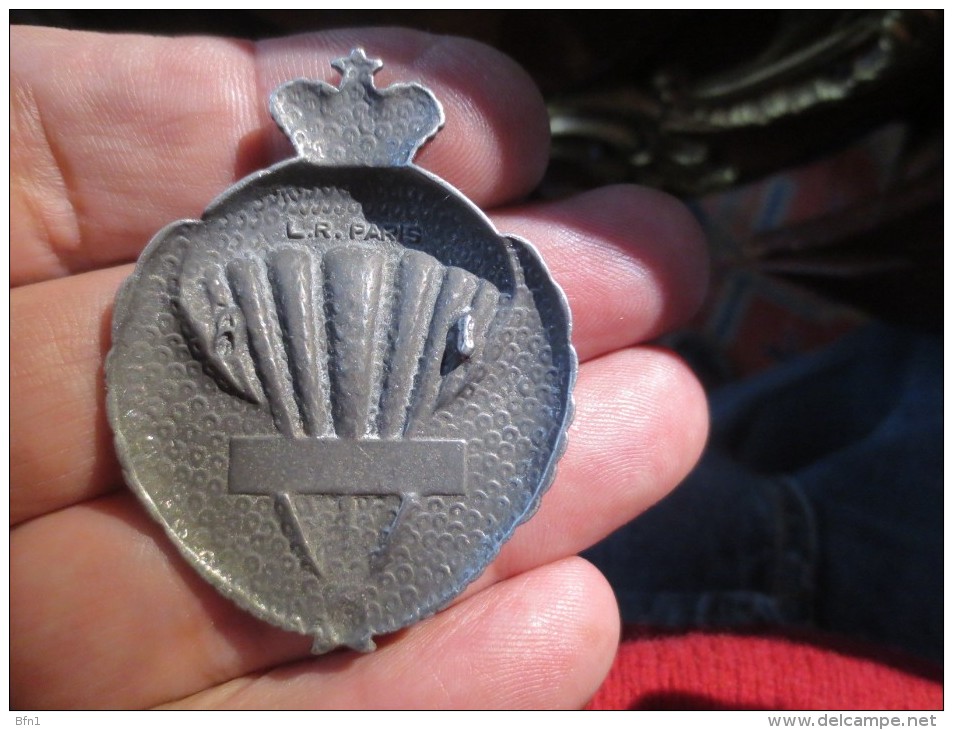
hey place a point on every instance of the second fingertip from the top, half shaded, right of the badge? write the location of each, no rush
(632, 261)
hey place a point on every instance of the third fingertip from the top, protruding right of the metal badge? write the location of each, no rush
(640, 426)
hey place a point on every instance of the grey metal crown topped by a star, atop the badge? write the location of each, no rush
(356, 123)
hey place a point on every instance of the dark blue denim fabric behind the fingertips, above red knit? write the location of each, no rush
(818, 503)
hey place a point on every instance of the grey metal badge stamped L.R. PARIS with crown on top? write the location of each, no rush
(341, 390)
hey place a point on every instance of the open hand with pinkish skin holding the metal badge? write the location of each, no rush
(115, 136)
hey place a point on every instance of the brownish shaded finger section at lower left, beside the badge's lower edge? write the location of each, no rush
(72, 644)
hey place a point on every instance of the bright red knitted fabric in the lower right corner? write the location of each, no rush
(724, 671)
